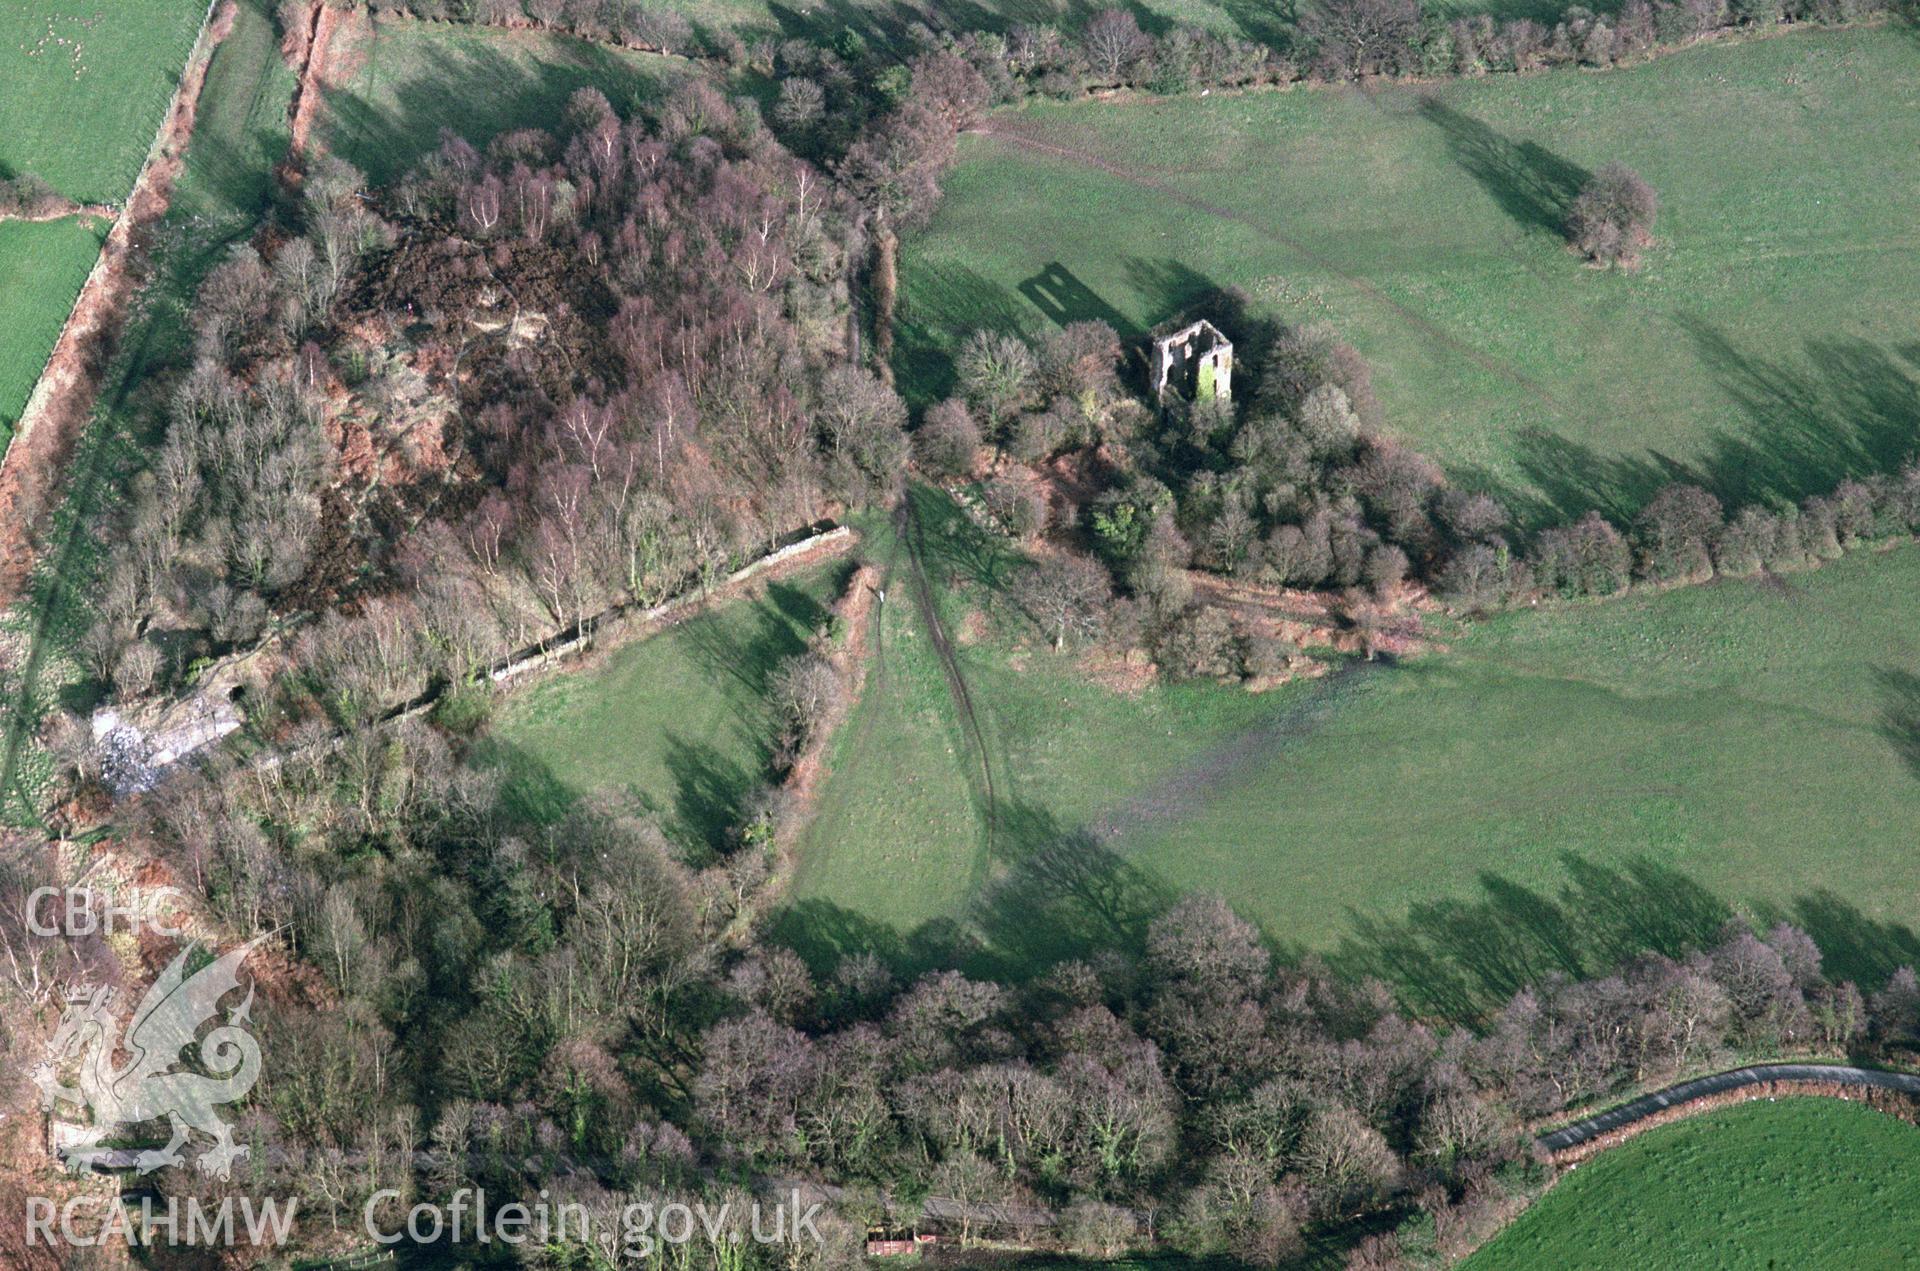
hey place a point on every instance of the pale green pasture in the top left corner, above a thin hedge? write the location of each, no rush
(84, 87)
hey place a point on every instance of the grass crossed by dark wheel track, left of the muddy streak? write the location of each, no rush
(900, 853)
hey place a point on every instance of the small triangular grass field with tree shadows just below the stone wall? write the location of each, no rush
(675, 725)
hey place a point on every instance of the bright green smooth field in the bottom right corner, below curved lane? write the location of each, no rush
(1804, 1184)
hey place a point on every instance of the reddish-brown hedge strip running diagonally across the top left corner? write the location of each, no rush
(62, 400)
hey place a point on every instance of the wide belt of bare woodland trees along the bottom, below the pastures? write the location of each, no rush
(542, 1001)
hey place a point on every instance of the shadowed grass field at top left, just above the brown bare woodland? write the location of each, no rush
(414, 80)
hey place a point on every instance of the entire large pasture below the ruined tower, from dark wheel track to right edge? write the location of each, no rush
(1550, 792)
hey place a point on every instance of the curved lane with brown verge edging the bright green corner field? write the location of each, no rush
(1575, 1143)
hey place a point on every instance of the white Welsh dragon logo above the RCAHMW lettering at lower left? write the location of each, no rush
(151, 1084)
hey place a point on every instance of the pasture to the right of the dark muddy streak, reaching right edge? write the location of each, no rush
(1562, 788)
